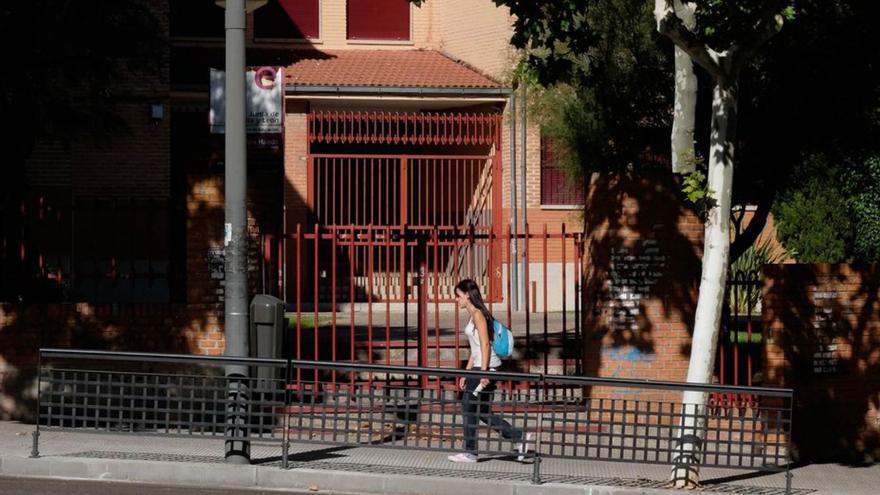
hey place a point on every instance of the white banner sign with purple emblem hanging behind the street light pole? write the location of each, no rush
(264, 111)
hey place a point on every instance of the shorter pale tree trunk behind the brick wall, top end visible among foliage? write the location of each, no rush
(684, 111)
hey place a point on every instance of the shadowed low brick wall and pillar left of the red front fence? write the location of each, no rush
(194, 327)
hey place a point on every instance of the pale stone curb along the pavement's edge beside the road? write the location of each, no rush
(226, 476)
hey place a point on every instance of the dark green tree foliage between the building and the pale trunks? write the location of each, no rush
(607, 98)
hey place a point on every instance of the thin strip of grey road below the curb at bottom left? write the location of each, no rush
(40, 486)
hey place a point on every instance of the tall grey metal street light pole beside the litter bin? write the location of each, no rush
(235, 321)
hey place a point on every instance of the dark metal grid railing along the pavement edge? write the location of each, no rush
(314, 402)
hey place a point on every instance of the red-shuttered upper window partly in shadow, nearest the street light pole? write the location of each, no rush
(288, 19)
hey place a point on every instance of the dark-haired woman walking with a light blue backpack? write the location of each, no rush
(476, 392)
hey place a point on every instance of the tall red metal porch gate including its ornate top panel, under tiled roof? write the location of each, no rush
(360, 193)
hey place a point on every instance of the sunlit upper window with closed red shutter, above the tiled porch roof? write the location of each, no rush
(378, 20)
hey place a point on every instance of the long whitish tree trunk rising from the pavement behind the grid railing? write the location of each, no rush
(685, 471)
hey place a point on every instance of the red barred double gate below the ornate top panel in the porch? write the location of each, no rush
(361, 197)
